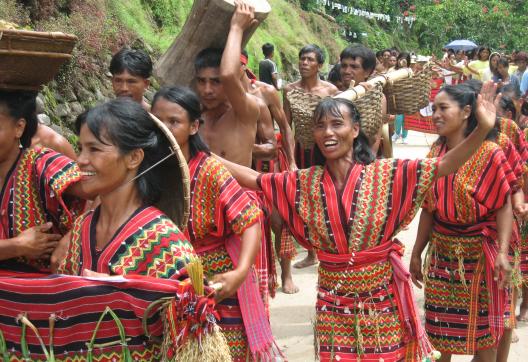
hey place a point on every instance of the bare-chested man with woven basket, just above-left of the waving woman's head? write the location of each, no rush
(300, 100)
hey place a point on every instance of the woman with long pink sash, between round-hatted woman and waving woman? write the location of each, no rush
(223, 228)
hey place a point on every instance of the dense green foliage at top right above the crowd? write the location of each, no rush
(497, 23)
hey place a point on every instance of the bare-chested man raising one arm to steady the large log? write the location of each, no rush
(230, 114)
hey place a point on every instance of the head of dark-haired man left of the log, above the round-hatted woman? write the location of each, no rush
(131, 70)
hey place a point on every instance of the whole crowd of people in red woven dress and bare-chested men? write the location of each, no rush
(115, 208)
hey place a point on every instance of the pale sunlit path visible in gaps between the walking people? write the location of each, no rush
(292, 315)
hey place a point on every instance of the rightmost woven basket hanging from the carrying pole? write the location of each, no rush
(408, 96)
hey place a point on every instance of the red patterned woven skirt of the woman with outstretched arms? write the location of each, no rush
(357, 315)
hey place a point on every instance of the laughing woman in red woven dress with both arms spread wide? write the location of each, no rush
(348, 208)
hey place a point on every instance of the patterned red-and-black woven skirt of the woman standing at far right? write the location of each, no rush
(456, 295)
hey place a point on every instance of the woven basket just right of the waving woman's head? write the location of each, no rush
(370, 110)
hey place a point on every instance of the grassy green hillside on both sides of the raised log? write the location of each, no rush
(287, 27)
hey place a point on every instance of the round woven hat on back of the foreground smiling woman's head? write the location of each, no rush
(176, 200)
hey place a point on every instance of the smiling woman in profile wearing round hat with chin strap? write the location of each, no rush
(126, 160)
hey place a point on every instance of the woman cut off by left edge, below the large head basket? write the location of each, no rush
(40, 194)
